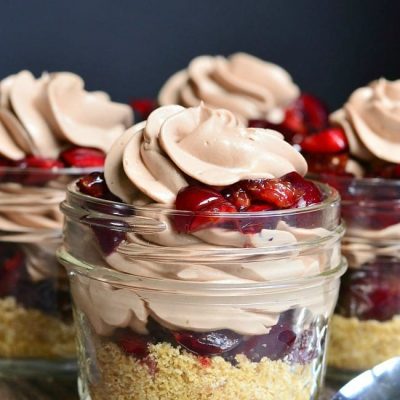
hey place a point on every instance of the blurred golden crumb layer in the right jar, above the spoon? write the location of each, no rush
(356, 345)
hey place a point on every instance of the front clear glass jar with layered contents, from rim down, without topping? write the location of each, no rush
(237, 310)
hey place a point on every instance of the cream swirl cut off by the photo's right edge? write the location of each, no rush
(371, 120)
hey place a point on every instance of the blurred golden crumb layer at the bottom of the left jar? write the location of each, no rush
(32, 334)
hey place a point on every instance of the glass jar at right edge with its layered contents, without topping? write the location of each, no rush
(366, 325)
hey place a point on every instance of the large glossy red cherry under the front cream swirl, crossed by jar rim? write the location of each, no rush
(199, 199)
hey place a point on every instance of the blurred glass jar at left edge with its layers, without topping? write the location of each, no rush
(36, 327)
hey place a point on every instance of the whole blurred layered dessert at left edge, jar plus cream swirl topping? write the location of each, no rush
(51, 132)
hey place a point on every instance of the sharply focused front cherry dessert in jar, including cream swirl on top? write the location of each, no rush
(202, 264)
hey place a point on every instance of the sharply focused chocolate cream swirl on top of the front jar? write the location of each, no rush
(157, 156)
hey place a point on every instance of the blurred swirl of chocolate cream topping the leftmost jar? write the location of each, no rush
(40, 116)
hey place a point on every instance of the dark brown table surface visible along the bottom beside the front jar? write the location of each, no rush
(54, 389)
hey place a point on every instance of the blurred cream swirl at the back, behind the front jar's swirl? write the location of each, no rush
(244, 84)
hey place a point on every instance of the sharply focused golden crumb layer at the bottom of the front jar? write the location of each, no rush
(172, 373)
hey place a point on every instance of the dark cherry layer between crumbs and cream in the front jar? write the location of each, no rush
(283, 342)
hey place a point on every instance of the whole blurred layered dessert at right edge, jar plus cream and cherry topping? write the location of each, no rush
(359, 154)
